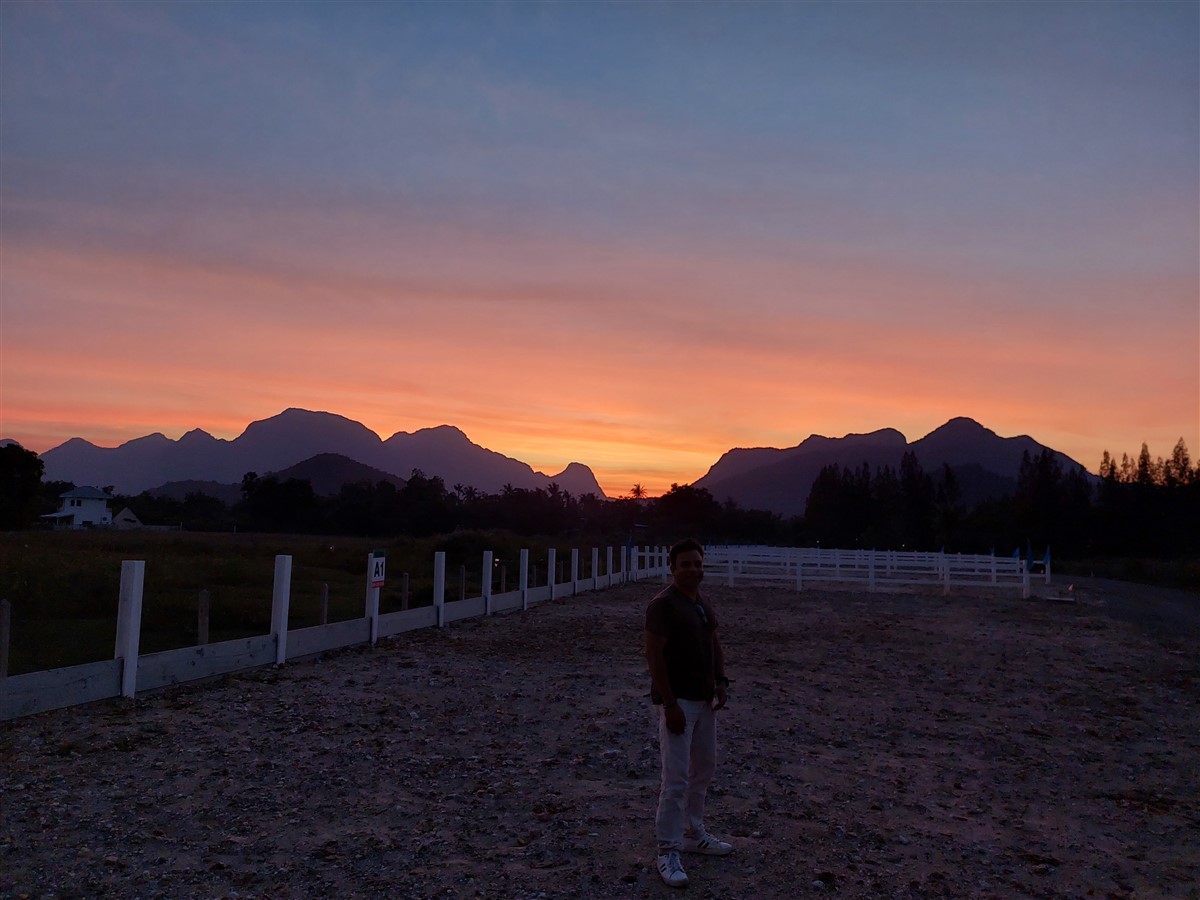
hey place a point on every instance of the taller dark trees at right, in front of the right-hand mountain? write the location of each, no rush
(1156, 514)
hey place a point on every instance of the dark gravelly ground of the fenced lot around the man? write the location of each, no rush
(877, 746)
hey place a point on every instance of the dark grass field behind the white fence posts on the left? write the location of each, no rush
(64, 586)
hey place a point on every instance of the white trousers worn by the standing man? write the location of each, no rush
(689, 763)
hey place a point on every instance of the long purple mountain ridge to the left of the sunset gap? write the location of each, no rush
(273, 446)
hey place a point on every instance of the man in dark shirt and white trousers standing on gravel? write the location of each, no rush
(688, 681)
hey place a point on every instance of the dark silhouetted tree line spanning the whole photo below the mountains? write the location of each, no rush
(1138, 507)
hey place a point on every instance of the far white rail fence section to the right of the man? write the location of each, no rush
(807, 567)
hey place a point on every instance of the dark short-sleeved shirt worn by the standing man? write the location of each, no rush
(689, 629)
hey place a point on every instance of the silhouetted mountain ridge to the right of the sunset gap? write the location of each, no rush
(985, 464)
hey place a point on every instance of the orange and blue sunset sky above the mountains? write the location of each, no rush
(633, 236)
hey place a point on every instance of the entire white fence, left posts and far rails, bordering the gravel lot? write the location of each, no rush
(130, 673)
